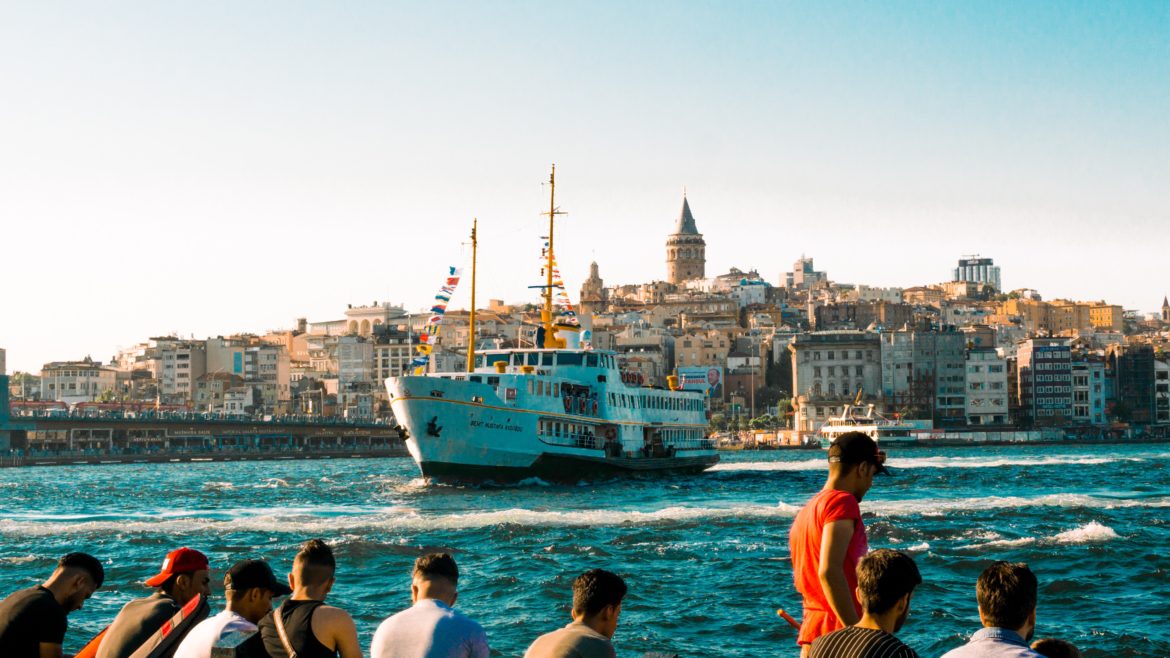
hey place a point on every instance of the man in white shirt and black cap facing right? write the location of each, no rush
(250, 587)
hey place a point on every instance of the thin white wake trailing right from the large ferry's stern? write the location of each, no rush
(898, 461)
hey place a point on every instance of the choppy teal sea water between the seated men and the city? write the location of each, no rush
(706, 557)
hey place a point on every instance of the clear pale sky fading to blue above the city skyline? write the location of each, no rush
(212, 168)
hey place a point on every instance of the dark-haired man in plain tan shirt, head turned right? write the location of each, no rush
(597, 606)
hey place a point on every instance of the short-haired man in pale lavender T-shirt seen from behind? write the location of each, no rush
(431, 628)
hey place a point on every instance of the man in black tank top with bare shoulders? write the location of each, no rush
(304, 627)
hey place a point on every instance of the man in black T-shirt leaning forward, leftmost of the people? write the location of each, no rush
(33, 621)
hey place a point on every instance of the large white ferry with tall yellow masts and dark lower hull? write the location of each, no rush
(555, 412)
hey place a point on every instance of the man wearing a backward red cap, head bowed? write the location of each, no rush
(184, 577)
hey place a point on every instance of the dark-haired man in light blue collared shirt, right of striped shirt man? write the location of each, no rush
(1007, 594)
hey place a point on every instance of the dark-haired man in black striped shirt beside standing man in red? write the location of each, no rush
(886, 581)
